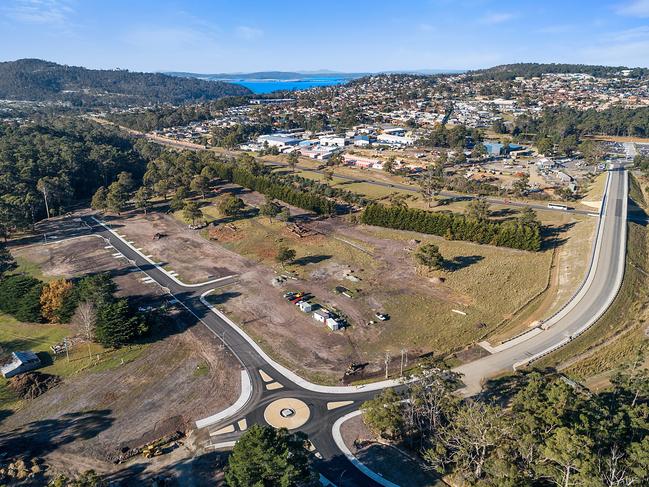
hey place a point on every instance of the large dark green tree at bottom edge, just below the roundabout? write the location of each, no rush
(264, 456)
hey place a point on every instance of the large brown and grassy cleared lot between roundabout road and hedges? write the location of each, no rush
(437, 313)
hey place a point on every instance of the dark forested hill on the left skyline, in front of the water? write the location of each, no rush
(37, 80)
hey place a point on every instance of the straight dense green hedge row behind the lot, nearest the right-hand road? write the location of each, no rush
(514, 234)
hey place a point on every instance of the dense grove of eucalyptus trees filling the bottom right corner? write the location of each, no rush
(547, 432)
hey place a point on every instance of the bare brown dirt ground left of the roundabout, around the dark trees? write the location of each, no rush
(175, 376)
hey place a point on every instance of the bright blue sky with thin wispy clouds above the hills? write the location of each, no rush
(353, 35)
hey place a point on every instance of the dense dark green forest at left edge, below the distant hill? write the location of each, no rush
(67, 159)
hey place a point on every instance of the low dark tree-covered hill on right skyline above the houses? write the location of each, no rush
(529, 70)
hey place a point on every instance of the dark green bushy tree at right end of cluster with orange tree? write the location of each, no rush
(116, 325)
